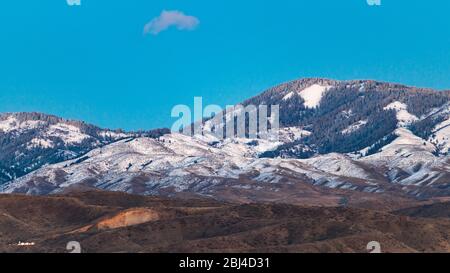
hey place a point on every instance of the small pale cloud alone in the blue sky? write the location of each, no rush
(171, 18)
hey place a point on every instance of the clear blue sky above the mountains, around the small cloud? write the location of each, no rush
(93, 62)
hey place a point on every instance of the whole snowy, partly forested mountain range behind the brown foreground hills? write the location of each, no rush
(347, 143)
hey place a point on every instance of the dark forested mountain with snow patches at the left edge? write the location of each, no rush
(31, 140)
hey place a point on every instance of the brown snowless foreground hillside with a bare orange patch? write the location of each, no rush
(116, 222)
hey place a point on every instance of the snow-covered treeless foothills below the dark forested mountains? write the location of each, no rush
(176, 163)
